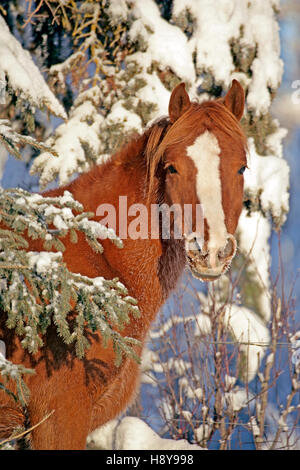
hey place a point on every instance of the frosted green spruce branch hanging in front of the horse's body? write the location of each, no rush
(36, 288)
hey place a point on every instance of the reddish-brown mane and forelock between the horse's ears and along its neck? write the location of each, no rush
(148, 149)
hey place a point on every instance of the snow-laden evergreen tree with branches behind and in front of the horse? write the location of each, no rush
(106, 68)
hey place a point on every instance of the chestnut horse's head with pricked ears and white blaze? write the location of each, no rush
(204, 158)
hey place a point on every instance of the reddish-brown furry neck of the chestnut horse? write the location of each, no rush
(143, 265)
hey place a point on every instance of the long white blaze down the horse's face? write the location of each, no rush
(205, 153)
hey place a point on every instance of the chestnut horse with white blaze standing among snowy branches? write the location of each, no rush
(196, 155)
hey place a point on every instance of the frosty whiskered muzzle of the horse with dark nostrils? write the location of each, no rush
(209, 265)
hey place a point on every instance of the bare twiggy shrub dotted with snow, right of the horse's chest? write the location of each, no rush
(213, 376)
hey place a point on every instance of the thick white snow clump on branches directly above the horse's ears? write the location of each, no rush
(213, 30)
